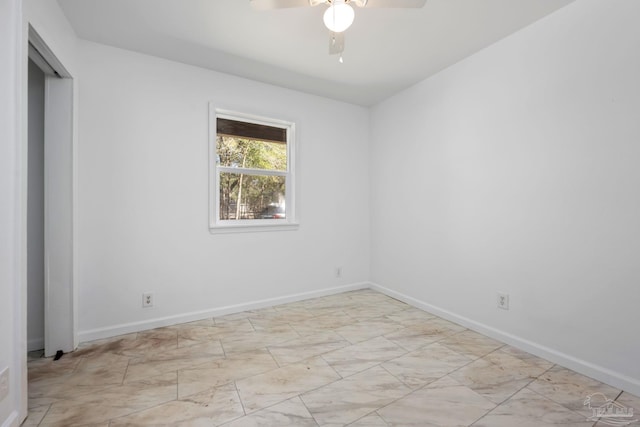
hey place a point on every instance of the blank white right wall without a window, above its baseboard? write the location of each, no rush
(516, 170)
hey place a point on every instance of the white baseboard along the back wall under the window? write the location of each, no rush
(127, 328)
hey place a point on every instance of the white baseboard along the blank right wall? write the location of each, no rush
(600, 373)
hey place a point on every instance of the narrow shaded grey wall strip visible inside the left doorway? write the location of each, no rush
(35, 211)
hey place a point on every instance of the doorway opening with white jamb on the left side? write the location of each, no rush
(49, 234)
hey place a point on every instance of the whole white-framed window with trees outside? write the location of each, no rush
(251, 173)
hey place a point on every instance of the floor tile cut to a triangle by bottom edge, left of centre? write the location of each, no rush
(291, 412)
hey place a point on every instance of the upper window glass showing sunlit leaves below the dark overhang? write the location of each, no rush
(251, 153)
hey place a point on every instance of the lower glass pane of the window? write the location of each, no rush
(245, 196)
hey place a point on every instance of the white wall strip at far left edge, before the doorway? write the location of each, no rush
(10, 208)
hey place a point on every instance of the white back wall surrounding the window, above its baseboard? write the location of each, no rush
(143, 195)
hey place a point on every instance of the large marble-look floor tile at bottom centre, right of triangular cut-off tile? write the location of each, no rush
(351, 398)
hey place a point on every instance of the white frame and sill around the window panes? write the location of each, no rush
(216, 225)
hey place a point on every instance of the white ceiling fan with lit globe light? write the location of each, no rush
(339, 14)
